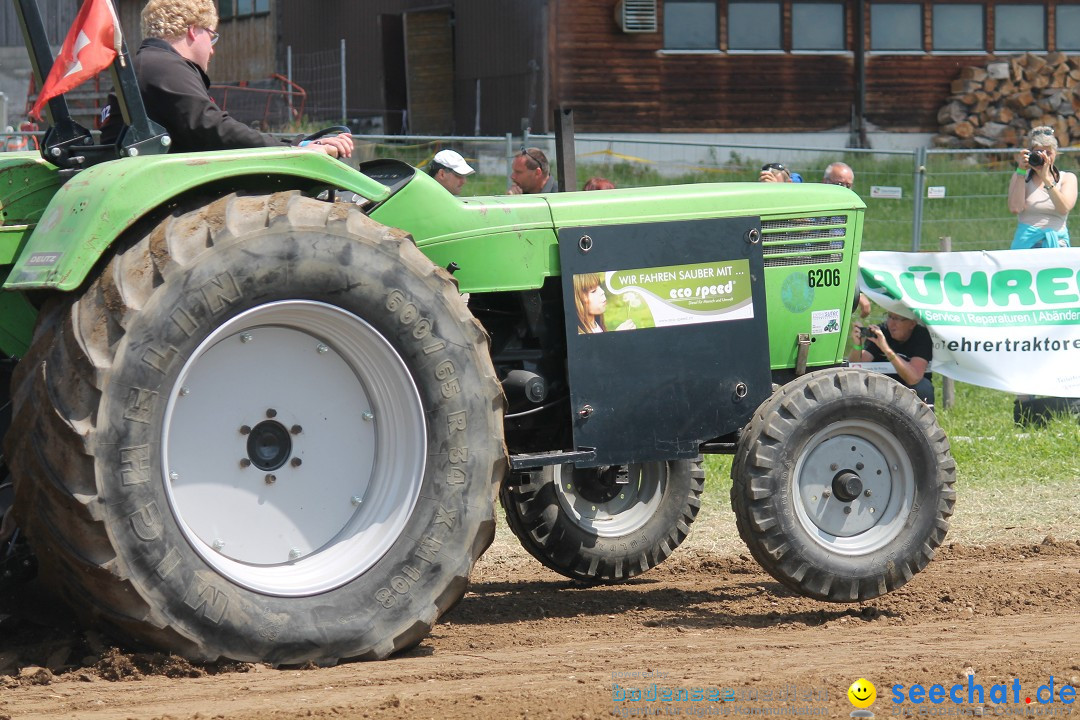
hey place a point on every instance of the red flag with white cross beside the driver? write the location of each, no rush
(93, 42)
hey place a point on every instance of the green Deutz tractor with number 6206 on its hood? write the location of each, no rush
(253, 420)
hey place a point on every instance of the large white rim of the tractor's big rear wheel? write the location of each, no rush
(354, 419)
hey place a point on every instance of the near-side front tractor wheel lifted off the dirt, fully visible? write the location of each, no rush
(843, 485)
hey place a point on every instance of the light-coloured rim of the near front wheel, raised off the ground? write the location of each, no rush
(879, 514)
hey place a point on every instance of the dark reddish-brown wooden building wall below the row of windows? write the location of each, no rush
(626, 83)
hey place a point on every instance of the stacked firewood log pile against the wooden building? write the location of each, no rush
(995, 106)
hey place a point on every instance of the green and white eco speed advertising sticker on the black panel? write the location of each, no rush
(665, 296)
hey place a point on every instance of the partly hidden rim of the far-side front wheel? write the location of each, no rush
(627, 511)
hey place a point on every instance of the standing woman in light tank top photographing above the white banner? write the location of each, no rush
(1041, 195)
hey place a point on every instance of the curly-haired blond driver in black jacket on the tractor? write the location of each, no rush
(171, 66)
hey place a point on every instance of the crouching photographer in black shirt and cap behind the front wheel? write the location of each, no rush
(902, 343)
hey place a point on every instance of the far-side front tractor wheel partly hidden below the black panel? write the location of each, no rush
(604, 525)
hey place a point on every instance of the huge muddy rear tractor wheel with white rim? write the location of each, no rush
(269, 431)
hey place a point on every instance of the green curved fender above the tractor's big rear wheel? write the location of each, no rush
(97, 207)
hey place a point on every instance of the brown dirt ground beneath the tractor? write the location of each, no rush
(526, 644)
